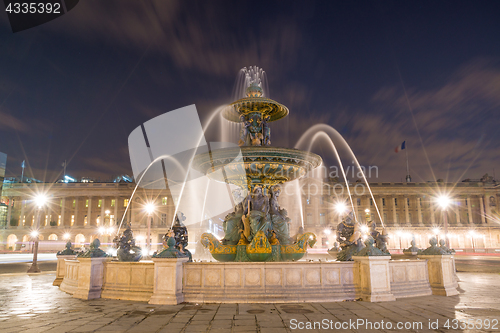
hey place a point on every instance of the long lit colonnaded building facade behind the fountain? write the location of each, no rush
(81, 212)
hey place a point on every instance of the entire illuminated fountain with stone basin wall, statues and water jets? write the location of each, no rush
(254, 257)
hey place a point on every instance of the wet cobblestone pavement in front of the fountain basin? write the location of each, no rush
(29, 303)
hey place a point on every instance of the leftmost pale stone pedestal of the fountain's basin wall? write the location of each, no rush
(90, 277)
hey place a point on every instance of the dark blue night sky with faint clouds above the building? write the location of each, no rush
(380, 72)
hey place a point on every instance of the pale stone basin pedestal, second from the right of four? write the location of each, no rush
(374, 278)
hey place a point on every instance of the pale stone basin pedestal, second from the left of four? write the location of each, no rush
(168, 281)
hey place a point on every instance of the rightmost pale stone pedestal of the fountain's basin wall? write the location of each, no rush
(441, 274)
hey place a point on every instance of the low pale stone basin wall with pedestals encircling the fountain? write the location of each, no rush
(172, 281)
